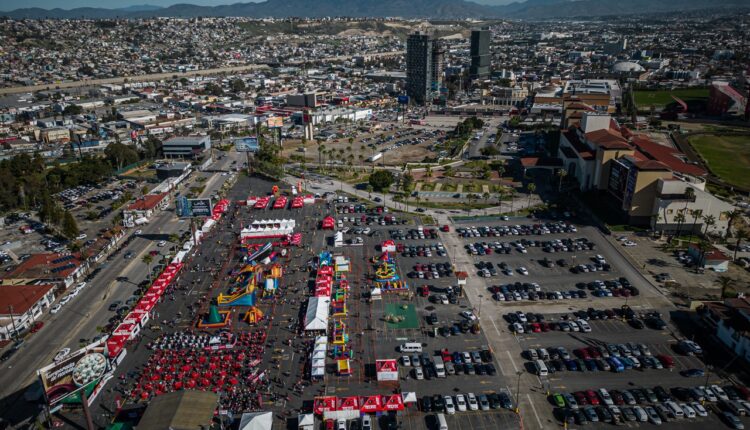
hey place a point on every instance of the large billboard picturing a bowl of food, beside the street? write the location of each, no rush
(85, 369)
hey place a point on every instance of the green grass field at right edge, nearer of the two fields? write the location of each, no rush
(728, 157)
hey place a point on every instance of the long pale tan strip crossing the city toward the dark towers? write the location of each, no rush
(169, 75)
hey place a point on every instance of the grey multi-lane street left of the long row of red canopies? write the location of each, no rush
(80, 318)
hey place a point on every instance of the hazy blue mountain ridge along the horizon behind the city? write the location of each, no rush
(442, 9)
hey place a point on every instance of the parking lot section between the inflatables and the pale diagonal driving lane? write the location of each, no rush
(440, 327)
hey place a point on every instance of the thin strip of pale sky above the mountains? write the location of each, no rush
(6, 5)
